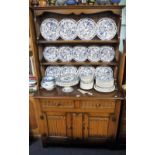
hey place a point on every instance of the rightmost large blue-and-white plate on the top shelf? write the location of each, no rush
(106, 29)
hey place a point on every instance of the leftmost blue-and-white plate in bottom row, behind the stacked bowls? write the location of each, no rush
(53, 71)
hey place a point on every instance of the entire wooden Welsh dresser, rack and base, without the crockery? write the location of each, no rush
(74, 116)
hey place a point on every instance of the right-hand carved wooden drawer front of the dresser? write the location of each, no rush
(98, 104)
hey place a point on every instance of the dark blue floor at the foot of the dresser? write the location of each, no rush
(37, 149)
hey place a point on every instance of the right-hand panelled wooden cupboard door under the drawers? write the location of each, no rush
(97, 126)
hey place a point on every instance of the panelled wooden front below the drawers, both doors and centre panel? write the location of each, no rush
(79, 125)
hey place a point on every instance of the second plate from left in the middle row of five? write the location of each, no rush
(65, 53)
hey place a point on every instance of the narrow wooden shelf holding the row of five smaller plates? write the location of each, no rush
(44, 63)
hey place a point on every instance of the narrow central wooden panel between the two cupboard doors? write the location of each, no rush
(77, 125)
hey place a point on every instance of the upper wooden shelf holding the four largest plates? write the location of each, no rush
(78, 42)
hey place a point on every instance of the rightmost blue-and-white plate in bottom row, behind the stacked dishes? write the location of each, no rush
(104, 73)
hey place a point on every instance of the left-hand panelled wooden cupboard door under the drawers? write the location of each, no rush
(57, 124)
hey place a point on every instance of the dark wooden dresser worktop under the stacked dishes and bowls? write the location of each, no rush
(57, 93)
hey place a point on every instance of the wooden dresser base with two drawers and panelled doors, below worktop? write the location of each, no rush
(84, 121)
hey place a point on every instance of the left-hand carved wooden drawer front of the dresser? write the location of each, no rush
(48, 103)
